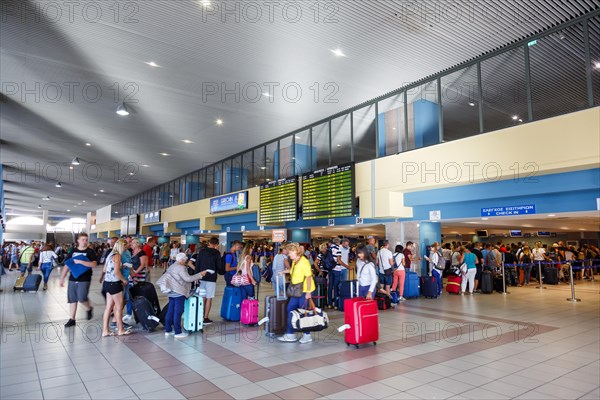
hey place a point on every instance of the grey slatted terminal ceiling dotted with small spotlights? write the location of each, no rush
(202, 83)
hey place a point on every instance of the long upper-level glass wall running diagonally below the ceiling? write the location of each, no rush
(549, 74)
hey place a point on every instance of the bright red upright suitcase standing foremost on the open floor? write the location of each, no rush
(363, 318)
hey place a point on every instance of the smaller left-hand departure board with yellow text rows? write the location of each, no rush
(279, 201)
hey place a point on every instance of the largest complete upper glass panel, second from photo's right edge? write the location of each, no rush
(558, 83)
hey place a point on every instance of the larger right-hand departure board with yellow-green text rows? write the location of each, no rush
(328, 193)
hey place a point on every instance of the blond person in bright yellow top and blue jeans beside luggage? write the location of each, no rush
(301, 274)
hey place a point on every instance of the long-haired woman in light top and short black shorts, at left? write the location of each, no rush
(113, 285)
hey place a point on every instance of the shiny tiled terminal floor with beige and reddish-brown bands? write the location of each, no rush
(529, 344)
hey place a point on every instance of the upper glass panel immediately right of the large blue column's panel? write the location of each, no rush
(460, 104)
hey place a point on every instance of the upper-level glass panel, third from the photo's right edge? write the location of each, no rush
(504, 90)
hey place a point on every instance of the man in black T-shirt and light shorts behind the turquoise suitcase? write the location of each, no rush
(207, 262)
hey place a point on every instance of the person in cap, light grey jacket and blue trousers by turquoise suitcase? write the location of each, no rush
(179, 283)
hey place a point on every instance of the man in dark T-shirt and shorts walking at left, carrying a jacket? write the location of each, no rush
(78, 288)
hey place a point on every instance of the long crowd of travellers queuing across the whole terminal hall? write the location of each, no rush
(376, 268)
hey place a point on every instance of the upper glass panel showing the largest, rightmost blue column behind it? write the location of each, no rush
(423, 116)
